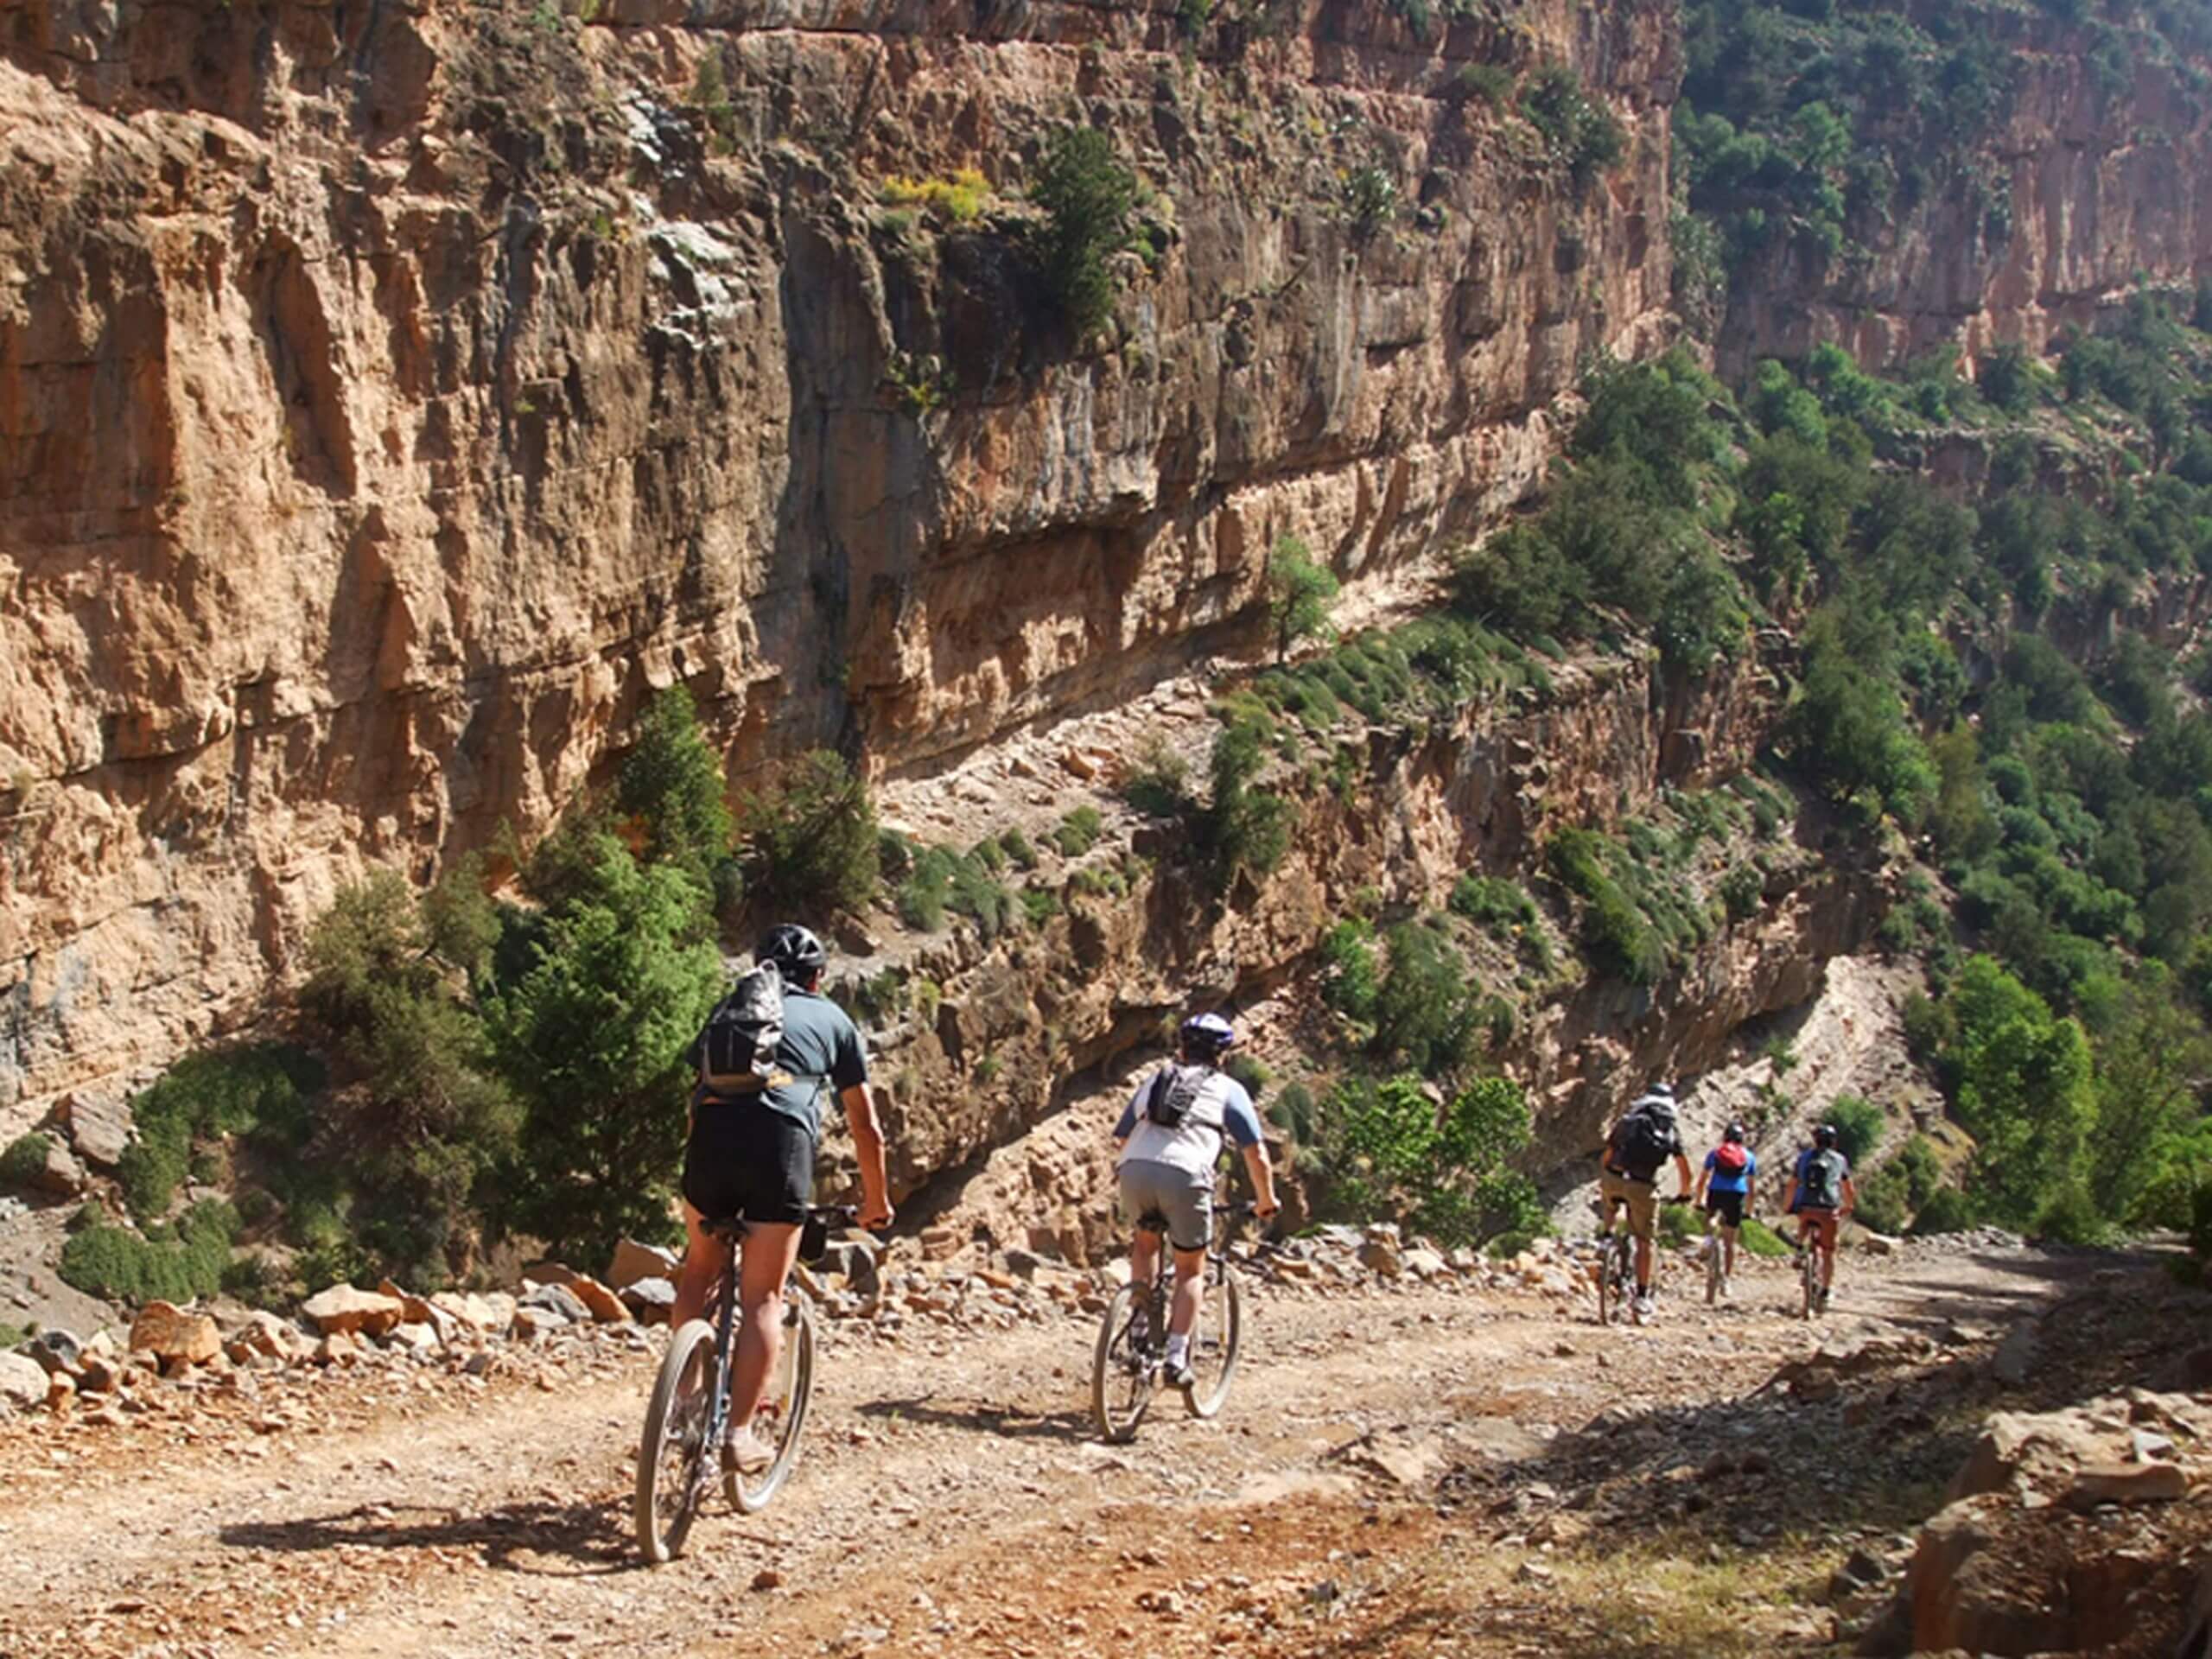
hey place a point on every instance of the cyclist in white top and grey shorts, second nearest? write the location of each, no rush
(1171, 1140)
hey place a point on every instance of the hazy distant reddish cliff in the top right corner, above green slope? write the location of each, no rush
(2085, 191)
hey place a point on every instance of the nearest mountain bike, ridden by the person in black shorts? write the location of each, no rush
(689, 1412)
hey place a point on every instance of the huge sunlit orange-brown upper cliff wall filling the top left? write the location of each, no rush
(393, 395)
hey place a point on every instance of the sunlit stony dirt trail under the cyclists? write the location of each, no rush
(952, 1494)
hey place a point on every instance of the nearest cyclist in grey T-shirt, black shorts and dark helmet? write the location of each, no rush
(753, 1156)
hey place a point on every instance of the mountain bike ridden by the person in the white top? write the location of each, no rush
(1131, 1355)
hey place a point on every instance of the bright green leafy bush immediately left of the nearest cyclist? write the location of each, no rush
(592, 1039)
